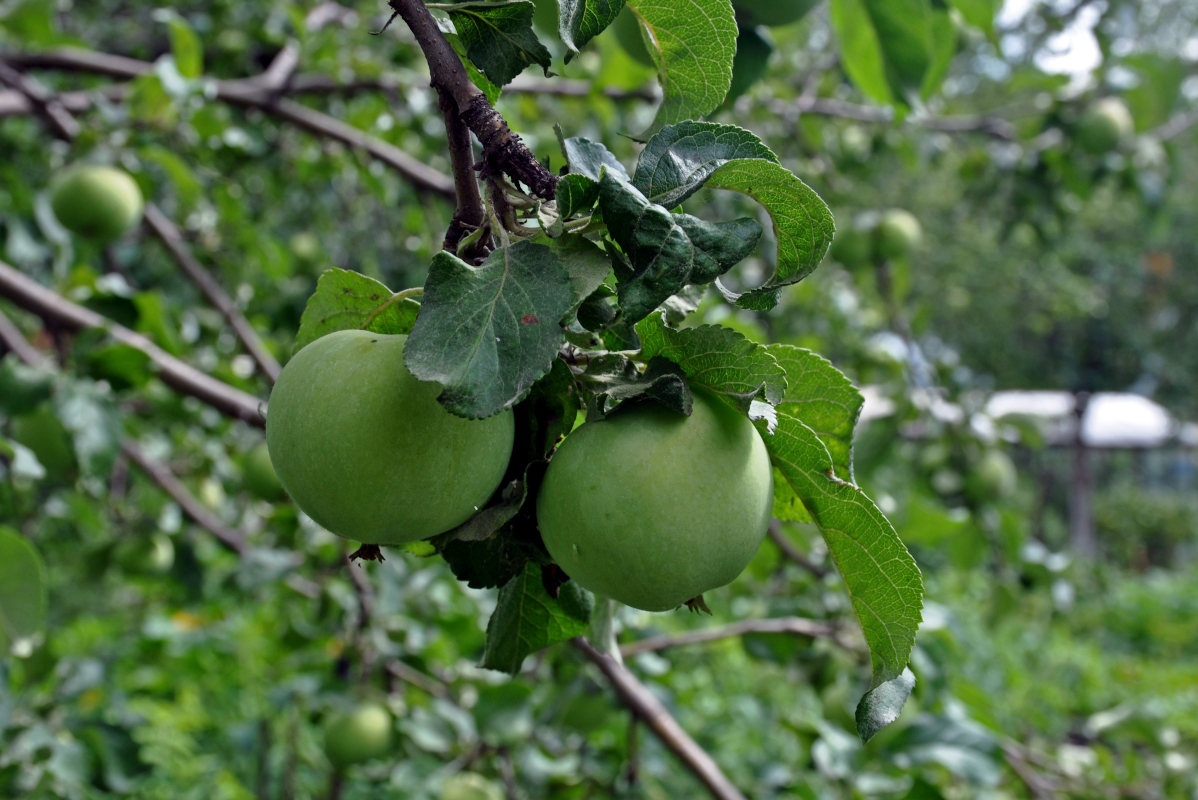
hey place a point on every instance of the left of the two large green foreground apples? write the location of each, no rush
(367, 451)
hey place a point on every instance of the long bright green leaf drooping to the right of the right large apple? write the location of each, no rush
(882, 579)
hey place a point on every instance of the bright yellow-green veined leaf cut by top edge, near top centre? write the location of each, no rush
(693, 44)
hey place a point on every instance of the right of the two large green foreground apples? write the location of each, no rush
(652, 508)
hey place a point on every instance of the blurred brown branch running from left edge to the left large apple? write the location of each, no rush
(174, 373)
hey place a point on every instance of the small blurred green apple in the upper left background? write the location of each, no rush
(100, 203)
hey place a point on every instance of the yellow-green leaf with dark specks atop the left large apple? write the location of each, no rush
(347, 300)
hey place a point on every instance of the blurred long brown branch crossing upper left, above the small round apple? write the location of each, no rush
(250, 93)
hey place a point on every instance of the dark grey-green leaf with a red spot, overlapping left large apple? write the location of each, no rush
(487, 334)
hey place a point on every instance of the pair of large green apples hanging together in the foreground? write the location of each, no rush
(648, 507)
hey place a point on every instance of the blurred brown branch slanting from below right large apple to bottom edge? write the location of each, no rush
(649, 708)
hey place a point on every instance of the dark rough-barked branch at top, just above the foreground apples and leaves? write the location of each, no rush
(504, 151)
